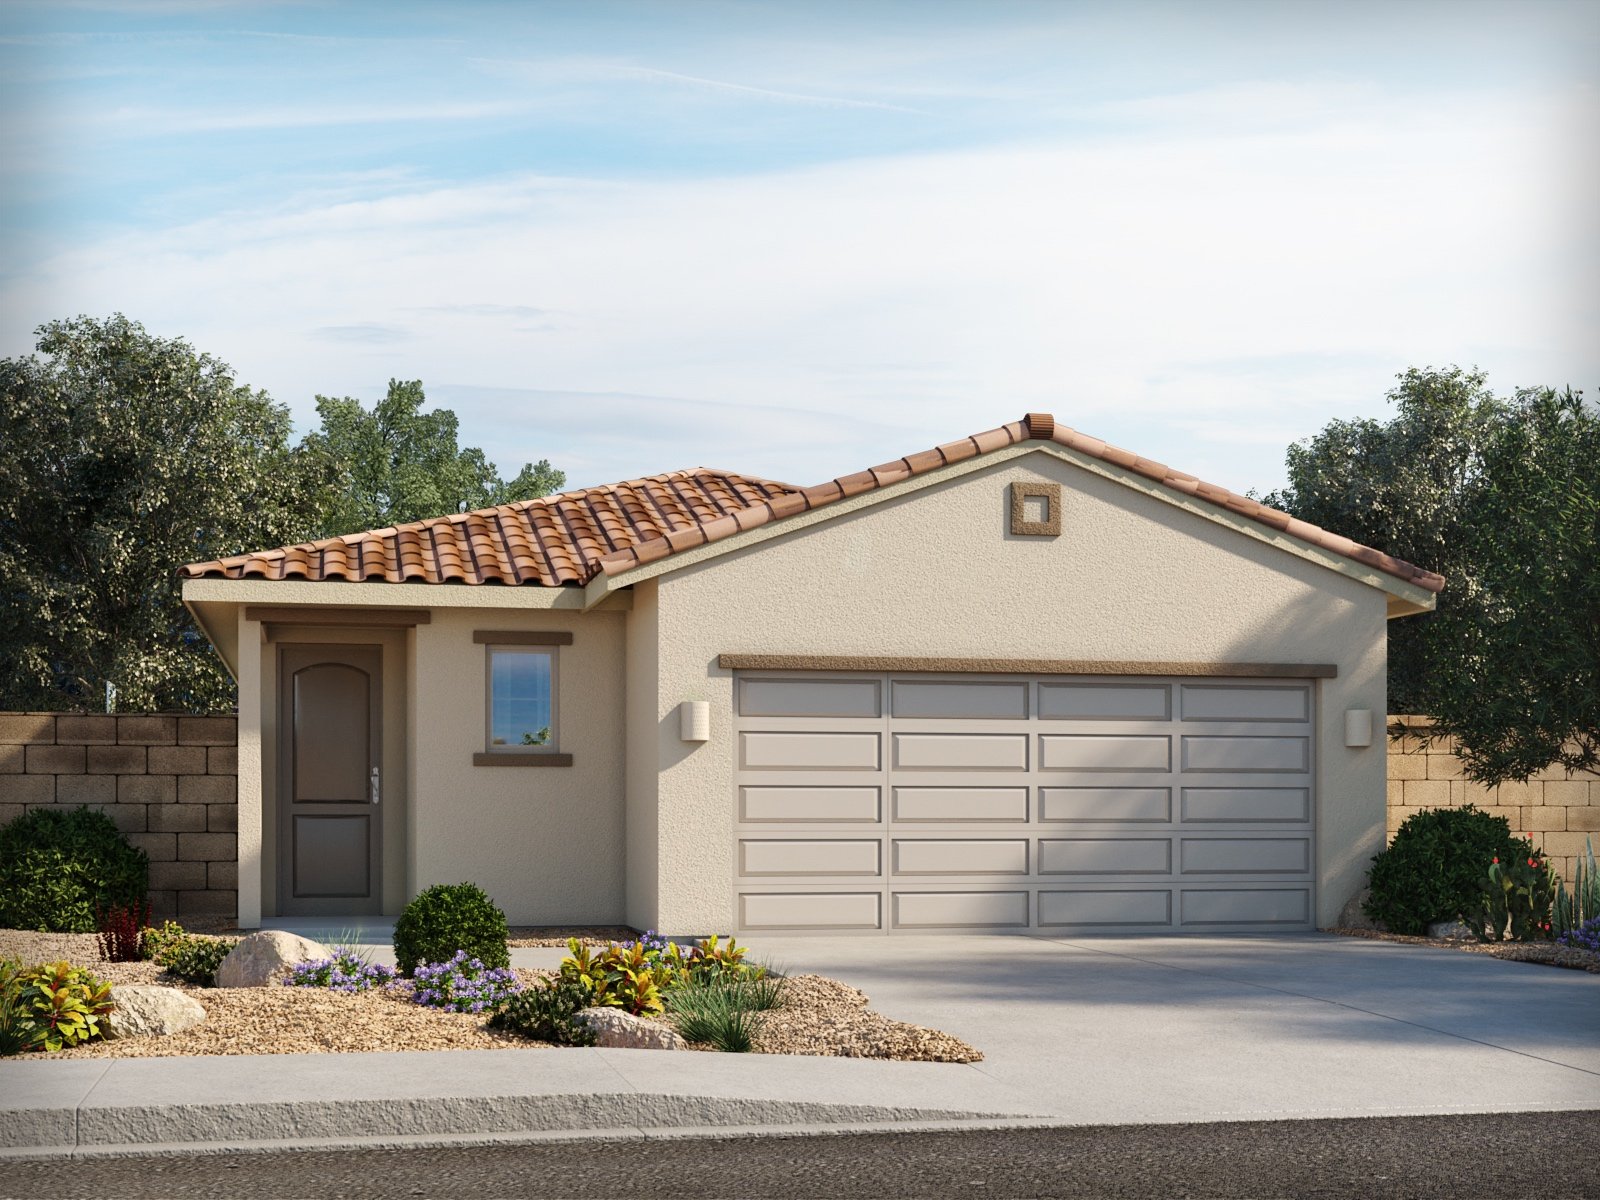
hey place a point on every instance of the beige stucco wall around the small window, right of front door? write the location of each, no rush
(546, 842)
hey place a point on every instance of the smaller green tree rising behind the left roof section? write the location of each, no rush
(402, 465)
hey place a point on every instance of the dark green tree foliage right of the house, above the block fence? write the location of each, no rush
(1503, 498)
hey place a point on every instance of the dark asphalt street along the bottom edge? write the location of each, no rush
(1538, 1156)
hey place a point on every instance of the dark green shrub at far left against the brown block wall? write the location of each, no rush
(57, 865)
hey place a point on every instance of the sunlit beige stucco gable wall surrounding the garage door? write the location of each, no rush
(937, 574)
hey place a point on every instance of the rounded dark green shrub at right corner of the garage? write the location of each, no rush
(1436, 868)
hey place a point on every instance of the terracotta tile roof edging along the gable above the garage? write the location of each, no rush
(1036, 426)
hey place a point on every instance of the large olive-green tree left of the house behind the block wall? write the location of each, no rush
(124, 457)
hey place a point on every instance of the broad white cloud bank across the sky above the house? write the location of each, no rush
(1202, 292)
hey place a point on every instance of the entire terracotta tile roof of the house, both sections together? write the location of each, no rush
(575, 537)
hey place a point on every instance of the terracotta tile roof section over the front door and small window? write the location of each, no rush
(543, 543)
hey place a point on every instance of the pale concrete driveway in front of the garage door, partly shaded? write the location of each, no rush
(1166, 1030)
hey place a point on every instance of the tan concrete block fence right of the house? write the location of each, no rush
(1556, 810)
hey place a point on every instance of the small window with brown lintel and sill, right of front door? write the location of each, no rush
(522, 698)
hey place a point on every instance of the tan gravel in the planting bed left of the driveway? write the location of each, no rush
(822, 1017)
